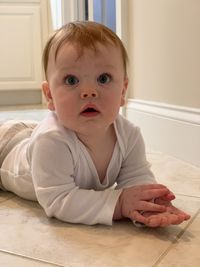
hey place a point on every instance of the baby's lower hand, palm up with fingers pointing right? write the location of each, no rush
(172, 215)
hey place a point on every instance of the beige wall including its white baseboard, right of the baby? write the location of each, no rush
(164, 74)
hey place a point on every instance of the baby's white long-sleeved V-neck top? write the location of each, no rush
(54, 168)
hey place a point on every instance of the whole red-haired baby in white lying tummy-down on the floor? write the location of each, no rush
(85, 163)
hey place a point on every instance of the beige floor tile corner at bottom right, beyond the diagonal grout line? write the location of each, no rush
(185, 252)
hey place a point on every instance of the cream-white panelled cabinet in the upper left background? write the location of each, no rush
(24, 27)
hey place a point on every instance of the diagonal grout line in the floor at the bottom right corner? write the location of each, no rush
(179, 235)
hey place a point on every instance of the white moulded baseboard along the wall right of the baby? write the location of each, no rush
(168, 129)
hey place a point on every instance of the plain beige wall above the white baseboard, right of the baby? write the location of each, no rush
(164, 48)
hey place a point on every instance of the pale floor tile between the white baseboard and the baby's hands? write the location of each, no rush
(179, 176)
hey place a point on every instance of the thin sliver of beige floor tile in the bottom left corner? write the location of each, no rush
(10, 260)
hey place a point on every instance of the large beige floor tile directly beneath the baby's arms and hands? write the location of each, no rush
(26, 230)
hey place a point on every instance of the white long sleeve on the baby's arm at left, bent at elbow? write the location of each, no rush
(55, 185)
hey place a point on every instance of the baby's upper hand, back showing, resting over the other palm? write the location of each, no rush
(135, 199)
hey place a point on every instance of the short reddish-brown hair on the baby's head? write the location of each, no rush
(85, 34)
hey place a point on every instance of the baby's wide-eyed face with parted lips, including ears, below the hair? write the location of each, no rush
(86, 91)
